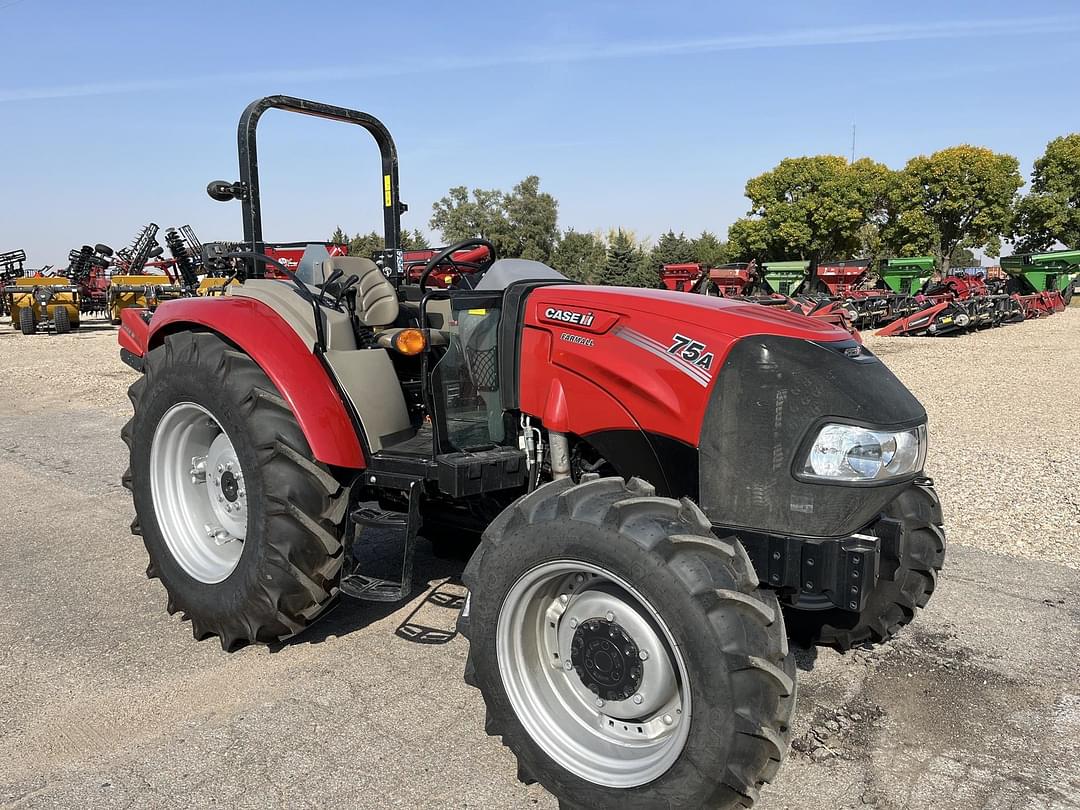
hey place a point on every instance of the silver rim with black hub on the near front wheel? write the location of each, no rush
(551, 686)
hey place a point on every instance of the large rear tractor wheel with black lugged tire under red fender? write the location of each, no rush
(289, 566)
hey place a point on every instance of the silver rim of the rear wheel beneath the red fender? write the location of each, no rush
(199, 496)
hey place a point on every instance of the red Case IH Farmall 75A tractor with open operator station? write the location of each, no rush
(663, 481)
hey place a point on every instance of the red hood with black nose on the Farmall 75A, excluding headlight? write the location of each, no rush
(705, 397)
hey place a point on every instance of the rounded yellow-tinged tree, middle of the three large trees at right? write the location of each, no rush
(961, 197)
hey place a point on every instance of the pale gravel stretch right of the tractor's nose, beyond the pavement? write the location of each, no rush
(1005, 420)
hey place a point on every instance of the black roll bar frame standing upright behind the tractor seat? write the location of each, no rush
(249, 187)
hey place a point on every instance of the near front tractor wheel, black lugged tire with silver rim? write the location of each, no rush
(720, 632)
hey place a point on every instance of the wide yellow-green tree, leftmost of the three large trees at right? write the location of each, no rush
(812, 208)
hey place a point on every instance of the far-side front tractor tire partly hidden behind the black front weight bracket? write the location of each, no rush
(899, 595)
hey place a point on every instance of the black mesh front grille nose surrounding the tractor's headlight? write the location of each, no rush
(772, 395)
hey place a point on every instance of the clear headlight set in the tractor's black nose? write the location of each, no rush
(847, 453)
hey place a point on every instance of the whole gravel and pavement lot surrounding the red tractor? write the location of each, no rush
(105, 700)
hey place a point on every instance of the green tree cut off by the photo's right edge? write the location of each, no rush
(1050, 212)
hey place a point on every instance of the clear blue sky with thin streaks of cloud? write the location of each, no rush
(644, 115)
